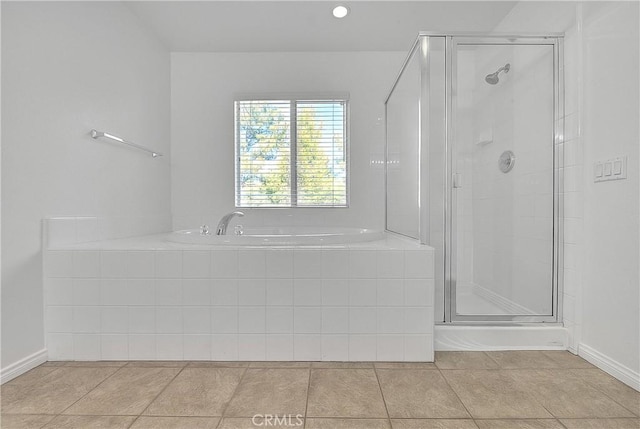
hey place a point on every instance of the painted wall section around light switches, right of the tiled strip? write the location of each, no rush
(611, 286)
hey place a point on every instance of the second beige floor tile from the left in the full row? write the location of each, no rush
(127, 392)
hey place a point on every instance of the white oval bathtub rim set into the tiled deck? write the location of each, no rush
(280, 236)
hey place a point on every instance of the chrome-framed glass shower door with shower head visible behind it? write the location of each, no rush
(501, 155)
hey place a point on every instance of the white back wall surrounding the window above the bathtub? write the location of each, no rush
(202, 133)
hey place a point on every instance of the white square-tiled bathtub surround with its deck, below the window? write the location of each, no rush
(154, 300)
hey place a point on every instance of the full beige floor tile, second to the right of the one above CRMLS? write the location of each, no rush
(419, 394)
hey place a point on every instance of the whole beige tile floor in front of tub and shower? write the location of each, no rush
(532, 389)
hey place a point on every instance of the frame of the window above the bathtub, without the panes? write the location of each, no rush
(294, 100)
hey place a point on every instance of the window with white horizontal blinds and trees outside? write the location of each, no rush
(291, 153)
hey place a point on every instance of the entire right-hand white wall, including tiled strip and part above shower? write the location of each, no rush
(601, 299)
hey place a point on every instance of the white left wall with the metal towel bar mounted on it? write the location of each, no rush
(68, 68)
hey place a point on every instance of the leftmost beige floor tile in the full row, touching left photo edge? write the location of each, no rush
(53, 392)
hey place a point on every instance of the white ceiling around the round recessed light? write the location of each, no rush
(268, 26)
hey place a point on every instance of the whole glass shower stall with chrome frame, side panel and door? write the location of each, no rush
(474, 153)
